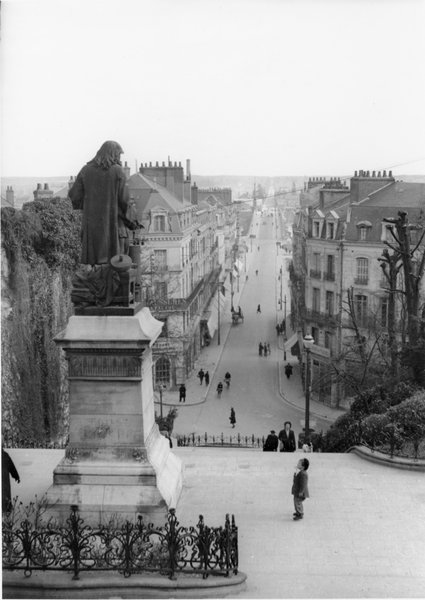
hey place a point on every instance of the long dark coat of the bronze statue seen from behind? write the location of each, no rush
(103, 196)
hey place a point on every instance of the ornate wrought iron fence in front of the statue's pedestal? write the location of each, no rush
(128, 549)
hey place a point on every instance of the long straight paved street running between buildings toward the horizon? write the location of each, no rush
(261, 395)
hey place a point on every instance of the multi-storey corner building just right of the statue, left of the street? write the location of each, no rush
(181, 256)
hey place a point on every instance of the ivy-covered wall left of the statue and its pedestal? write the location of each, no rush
(40, 252)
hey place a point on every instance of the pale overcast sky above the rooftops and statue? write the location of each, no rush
(244, 87)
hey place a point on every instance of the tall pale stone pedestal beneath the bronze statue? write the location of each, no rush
(116, 461)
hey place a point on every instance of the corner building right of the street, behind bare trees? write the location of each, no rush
(339, 292)
